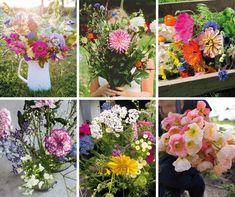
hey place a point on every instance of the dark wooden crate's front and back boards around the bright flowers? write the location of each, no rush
(197, 85)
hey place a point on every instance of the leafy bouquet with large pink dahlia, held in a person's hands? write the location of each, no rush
(113, 44)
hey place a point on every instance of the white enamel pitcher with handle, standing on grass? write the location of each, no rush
(38, 78)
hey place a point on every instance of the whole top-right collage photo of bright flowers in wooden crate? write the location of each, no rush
(196, 44)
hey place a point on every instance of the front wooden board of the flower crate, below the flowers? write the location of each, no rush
(196, 85)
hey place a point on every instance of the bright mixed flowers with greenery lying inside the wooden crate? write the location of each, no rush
(203, 42)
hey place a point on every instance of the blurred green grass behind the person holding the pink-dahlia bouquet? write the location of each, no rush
(84, 87)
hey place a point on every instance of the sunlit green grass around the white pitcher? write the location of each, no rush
(63, 77)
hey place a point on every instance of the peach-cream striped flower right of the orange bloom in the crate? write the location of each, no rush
(211, 42)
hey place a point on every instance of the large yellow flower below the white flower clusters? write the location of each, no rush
(123, 165)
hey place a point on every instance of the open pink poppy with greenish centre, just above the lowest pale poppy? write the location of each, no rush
(177, 145)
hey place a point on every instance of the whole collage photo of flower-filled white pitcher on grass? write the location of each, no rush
(38, 48)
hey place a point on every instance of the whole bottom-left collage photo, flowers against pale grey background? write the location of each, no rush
(38, 148)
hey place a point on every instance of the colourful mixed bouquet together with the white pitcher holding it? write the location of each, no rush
(38, 41)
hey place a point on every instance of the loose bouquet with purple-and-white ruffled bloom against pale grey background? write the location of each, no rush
(43, 144)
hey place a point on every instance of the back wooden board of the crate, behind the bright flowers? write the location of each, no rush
(214, 5)
